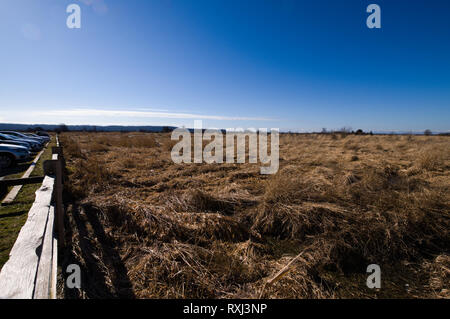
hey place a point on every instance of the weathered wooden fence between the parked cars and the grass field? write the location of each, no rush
(31, 271)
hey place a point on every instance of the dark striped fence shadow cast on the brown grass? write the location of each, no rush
(103, 273)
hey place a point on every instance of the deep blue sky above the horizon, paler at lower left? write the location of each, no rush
(299, 65)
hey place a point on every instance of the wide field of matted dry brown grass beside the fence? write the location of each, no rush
(141, 226)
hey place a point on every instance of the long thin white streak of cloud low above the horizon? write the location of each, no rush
(144, 114)
